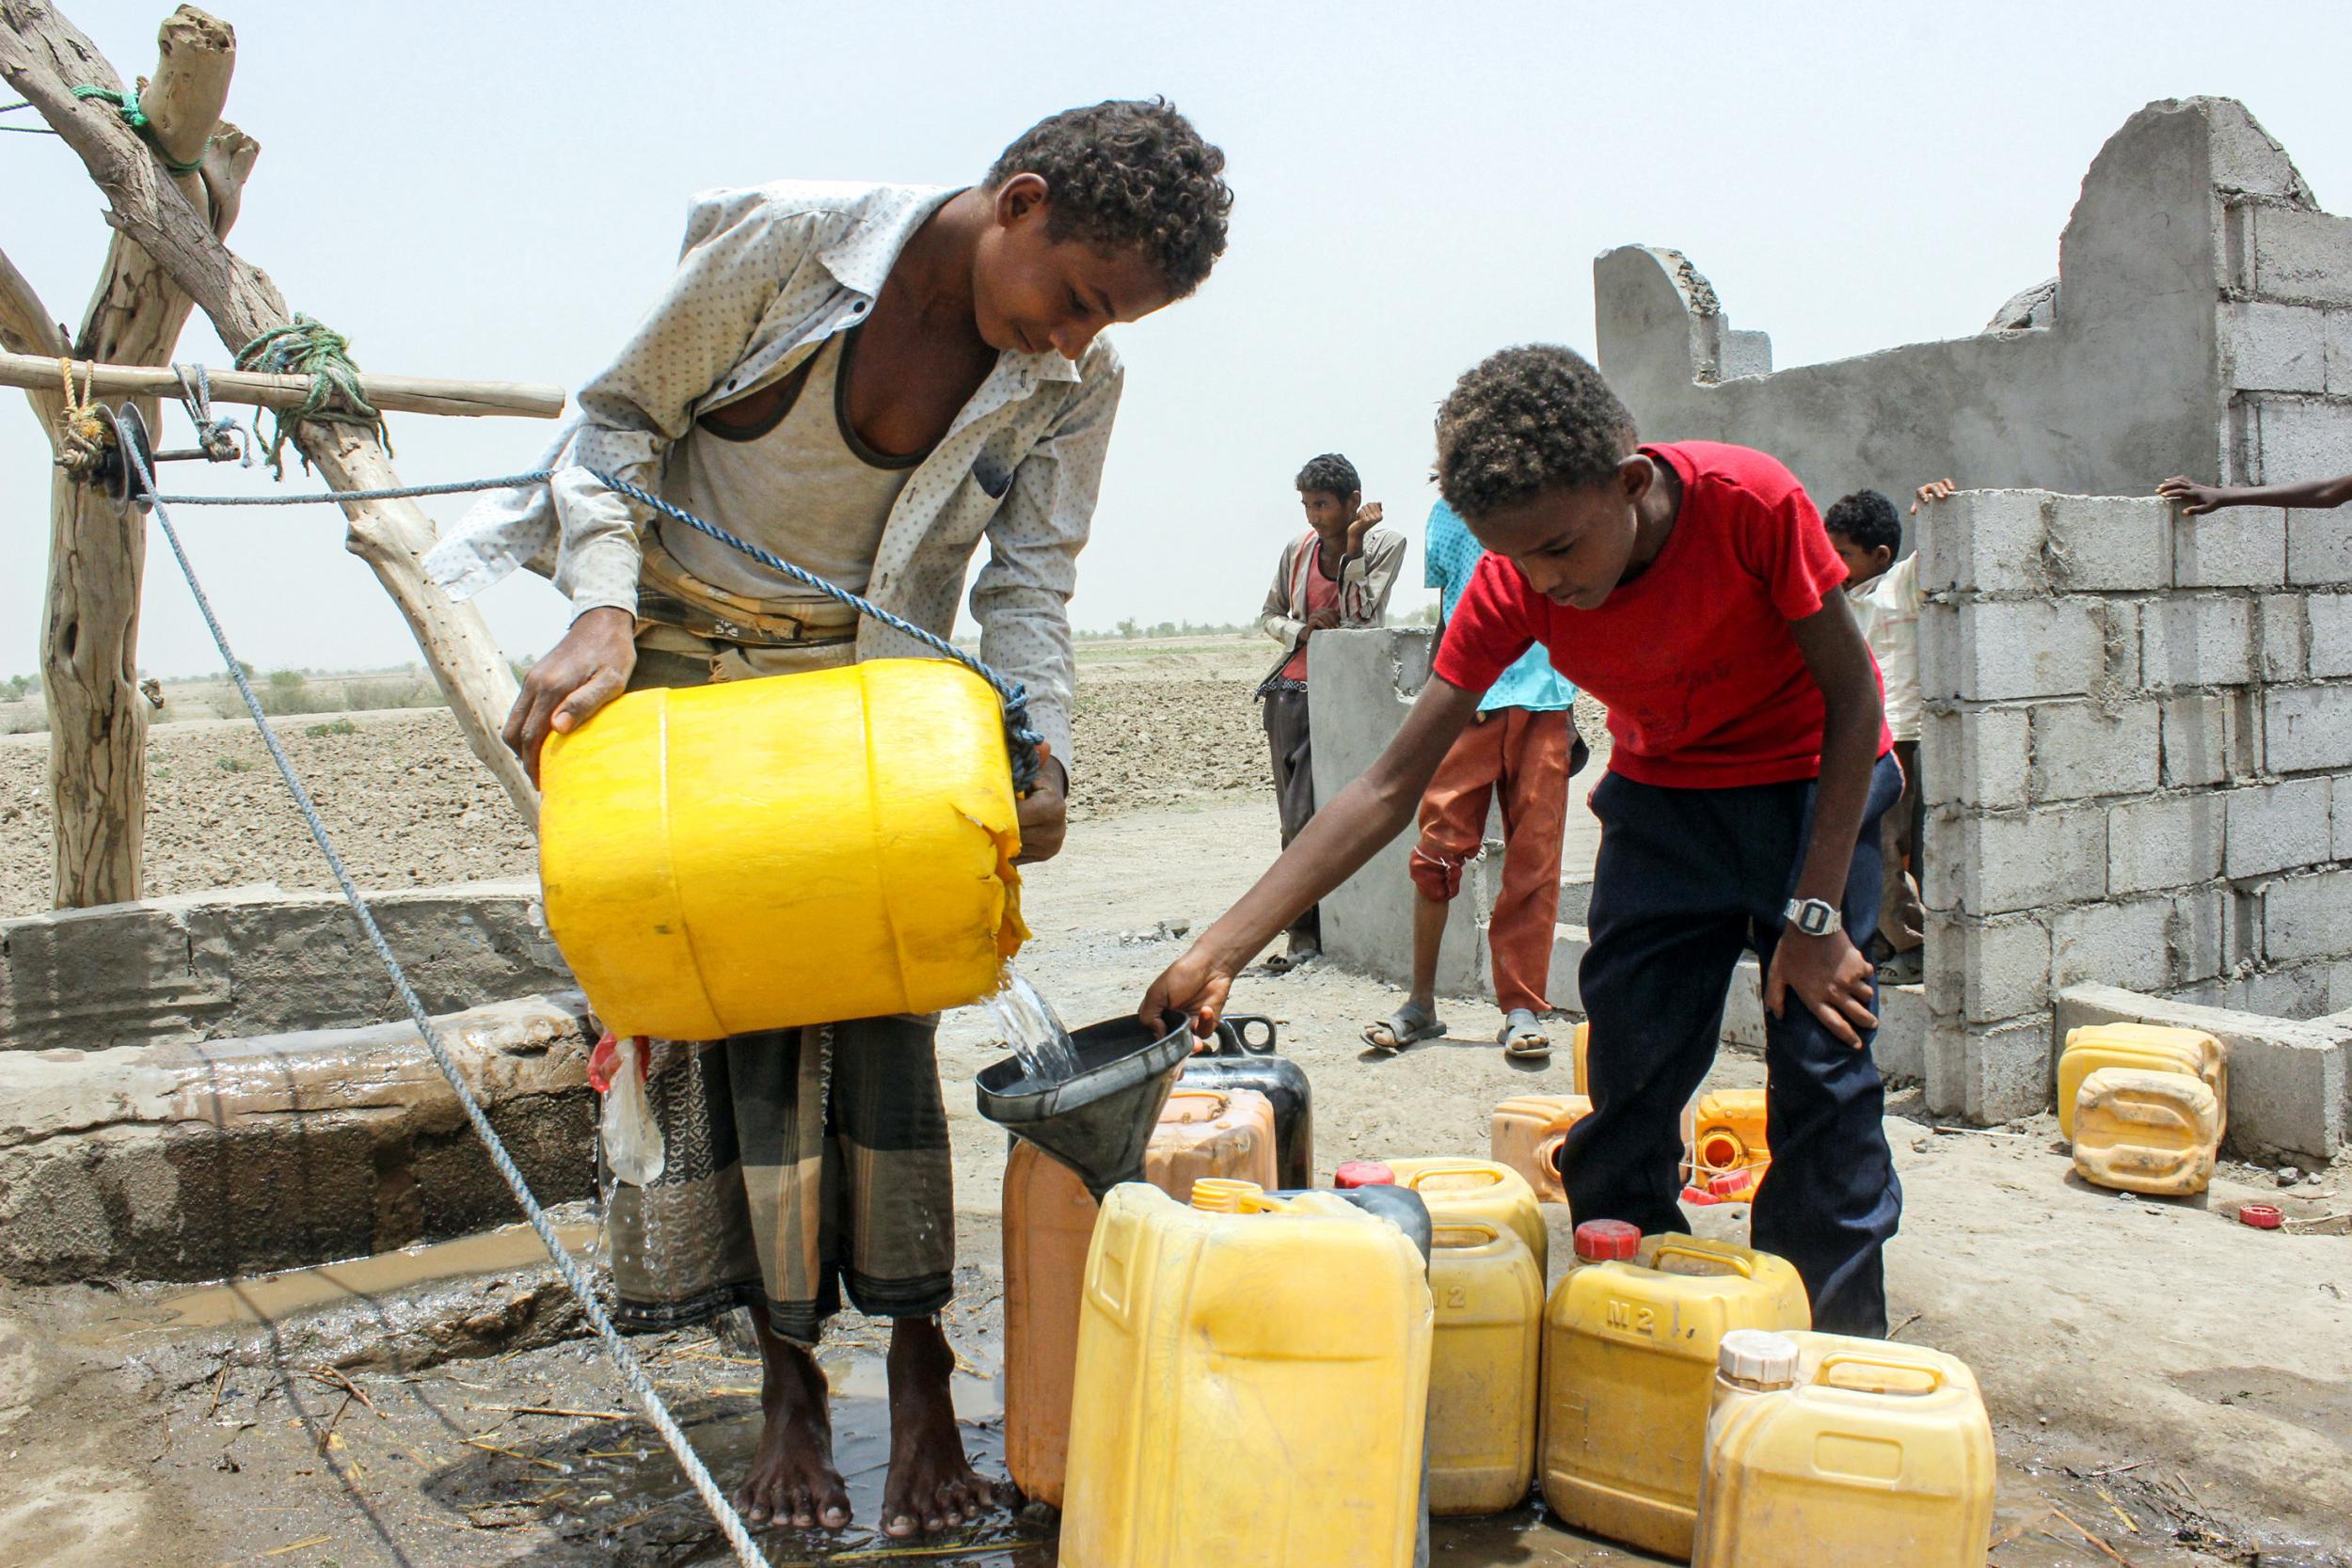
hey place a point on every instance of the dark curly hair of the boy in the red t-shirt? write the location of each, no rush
(1528, 420)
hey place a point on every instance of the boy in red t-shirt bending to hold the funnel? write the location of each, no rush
(1695, 594)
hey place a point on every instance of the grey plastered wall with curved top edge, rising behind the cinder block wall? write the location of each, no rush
(2158, 359)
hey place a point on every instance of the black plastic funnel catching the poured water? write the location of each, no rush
(1100, 1120)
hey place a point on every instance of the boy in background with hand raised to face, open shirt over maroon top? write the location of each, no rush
(1335, 577)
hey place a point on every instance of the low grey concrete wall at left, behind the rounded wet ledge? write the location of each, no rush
(260, 963)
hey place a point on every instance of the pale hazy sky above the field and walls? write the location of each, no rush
(500, 189)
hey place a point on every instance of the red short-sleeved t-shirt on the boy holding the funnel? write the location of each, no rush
(1695, 659)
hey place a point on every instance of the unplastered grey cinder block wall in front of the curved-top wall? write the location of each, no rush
(2137, 749)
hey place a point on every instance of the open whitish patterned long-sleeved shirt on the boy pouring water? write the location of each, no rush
(763, 281)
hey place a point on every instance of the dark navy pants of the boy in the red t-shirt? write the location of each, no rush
(1683, 885)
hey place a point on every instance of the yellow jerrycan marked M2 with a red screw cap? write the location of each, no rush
(1629, 1372)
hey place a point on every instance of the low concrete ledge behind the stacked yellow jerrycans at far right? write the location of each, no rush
(2290, 1083)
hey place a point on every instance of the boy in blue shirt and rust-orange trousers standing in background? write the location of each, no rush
(1523, 751)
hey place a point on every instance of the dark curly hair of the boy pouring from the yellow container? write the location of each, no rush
(1130, 173)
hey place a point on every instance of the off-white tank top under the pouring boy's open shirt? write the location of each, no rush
(806, 488)
